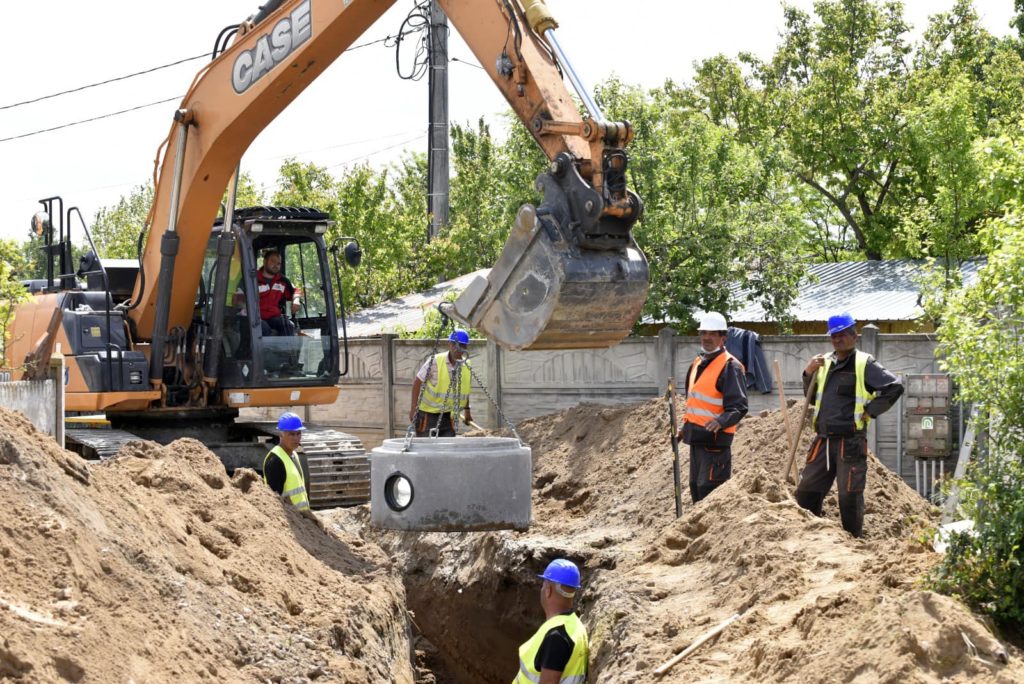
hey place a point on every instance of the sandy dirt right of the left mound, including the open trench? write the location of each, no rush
(817, 605)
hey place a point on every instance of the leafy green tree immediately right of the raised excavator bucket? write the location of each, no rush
(717, 205)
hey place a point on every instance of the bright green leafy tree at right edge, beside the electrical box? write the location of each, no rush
(982, 341)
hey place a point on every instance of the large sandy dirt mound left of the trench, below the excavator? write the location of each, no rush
(156, 567)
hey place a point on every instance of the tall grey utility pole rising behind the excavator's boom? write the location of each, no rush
(438, 157)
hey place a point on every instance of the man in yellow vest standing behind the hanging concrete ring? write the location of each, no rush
(434, 408)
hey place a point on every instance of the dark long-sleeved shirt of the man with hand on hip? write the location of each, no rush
(840, 395)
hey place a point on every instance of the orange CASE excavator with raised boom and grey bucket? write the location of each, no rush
(173, 347)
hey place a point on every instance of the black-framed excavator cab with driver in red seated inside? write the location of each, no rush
(272, 296)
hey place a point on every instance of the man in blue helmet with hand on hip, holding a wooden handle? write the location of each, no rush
(851, 390)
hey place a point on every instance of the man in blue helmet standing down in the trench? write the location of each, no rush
(560, 652)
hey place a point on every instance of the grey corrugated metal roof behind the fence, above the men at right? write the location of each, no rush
(870, 290)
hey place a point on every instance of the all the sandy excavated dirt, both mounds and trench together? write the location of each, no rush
(155, 567)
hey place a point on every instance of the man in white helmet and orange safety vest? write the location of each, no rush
(716, 402)
